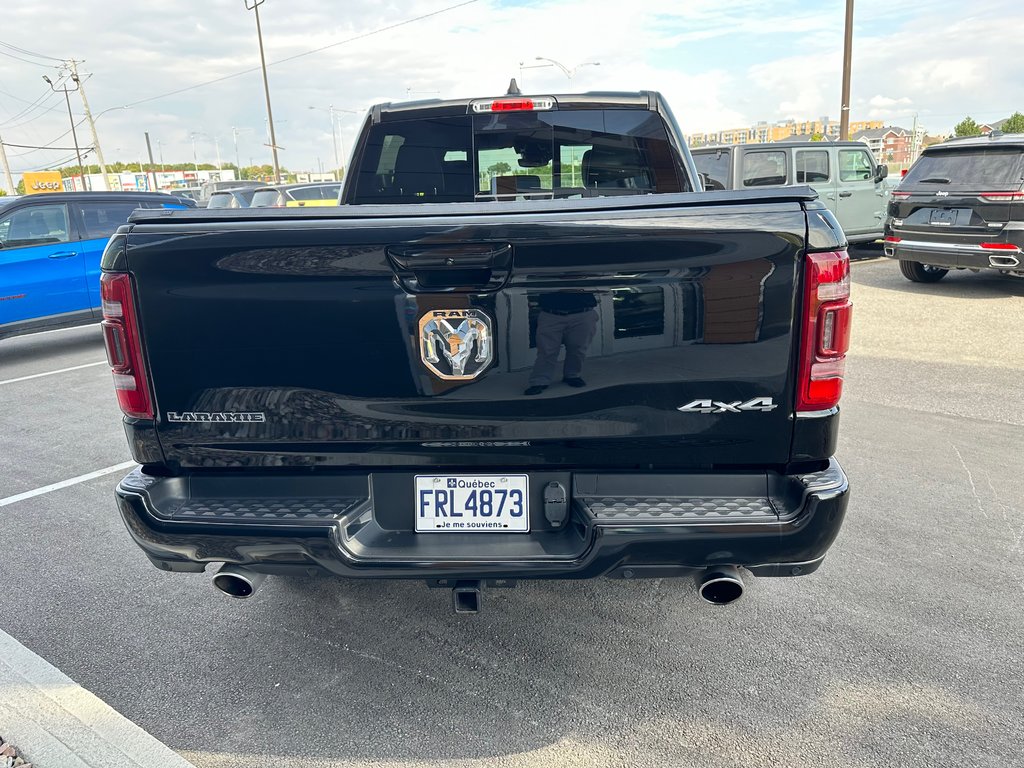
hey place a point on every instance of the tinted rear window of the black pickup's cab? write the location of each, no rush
(519, 156)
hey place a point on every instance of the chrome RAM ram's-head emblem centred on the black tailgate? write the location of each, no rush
(456, 345)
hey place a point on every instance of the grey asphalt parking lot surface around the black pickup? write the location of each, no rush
(907, 649)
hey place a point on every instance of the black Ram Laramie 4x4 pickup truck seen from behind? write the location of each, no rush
(375, 391)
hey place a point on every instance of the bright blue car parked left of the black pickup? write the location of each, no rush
(50, 255)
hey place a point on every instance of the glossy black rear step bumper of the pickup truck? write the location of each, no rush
(619, 526)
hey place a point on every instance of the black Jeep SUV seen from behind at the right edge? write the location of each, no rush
(961, 207)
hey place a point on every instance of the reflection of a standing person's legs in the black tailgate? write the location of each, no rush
(568, 319)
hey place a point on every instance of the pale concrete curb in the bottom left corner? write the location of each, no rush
(56, 723)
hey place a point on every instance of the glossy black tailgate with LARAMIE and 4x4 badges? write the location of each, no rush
(335, 340)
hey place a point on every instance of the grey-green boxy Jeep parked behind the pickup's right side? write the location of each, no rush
(843, 174)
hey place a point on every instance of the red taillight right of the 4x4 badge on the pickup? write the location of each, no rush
(828, 315)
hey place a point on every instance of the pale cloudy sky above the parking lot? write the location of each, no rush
(720, 64)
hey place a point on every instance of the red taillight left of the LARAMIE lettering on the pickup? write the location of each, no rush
(124, 347)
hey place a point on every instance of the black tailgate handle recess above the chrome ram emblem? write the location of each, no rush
(452, 269)
